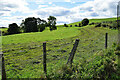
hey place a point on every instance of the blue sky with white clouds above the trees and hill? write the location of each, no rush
(66, 11)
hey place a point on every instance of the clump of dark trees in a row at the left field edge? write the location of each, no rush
(32, 24)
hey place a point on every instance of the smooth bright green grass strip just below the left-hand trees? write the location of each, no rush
(40, 36)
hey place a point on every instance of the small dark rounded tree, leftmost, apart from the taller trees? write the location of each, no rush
(13, 29)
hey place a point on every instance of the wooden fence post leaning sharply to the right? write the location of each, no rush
(70, 59)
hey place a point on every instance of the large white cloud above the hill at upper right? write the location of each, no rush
(97, 8)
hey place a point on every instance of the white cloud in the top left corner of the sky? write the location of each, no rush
(7, 6)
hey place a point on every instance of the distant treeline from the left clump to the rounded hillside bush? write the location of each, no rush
(32, 24)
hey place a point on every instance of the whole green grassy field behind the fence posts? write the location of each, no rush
(23, 52)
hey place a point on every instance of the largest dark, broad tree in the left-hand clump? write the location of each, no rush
(30, 24)
